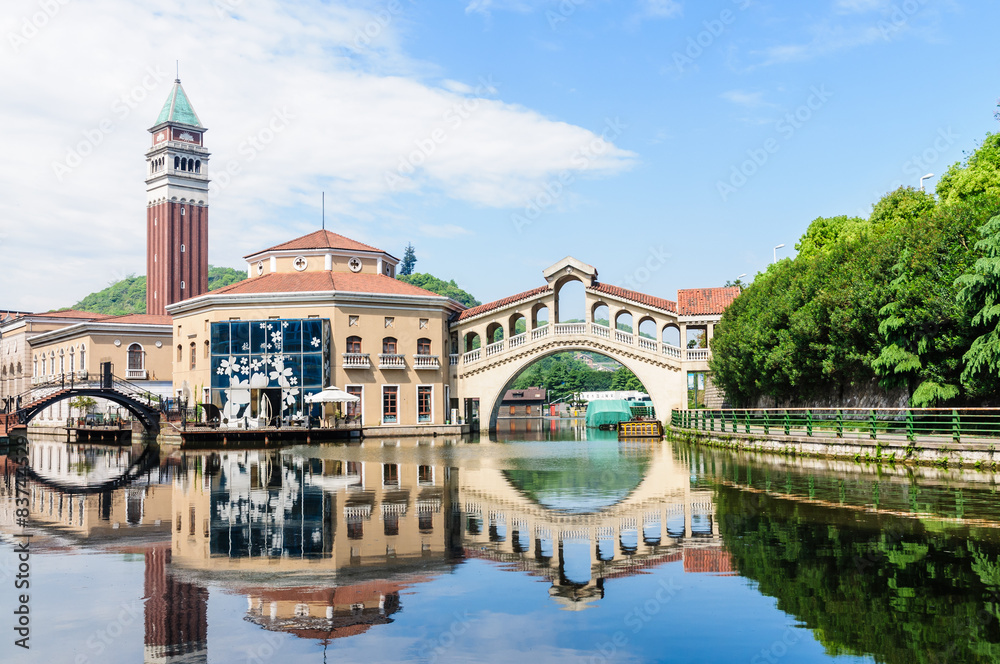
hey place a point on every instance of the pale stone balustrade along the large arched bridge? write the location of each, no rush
(594, 330)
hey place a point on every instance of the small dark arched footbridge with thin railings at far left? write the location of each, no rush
(21, 409)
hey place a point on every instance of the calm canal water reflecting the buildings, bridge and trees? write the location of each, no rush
(550, 543)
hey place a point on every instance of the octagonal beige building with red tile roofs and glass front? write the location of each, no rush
(318, 310)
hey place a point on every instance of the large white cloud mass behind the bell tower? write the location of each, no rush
(298, 98)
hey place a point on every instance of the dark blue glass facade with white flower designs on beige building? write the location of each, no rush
(264, 368)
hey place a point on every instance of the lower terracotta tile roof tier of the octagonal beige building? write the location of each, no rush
(305, 282)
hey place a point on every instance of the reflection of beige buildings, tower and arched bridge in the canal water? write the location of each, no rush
(323, 541)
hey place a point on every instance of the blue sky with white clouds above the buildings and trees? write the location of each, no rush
(668, 143)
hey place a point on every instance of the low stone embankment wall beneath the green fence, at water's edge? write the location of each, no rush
(974, 454)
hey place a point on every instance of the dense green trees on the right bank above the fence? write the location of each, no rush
(906, 298)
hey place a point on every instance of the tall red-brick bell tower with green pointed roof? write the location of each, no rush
(176, 206)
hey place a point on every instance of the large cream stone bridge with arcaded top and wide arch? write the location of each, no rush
(649, 335)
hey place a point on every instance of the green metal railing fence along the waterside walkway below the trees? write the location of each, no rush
(909, 424)
